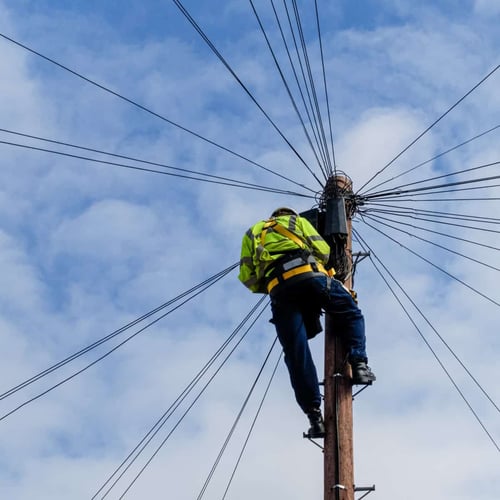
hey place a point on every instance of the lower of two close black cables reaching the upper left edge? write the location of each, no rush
(149, 170)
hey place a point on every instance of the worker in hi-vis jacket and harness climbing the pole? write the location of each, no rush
(285, 257)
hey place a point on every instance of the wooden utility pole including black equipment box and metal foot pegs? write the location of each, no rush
(338, 208)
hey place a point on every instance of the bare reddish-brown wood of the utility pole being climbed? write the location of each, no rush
(338, 450)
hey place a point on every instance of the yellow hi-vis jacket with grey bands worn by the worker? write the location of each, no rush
(265, 242)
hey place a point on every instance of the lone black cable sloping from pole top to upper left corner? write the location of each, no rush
(140, 106)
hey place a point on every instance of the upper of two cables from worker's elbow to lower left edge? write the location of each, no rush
(110, 336)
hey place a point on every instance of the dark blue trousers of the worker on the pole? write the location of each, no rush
(290, 305)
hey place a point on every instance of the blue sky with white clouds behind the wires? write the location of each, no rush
(88, 247)
